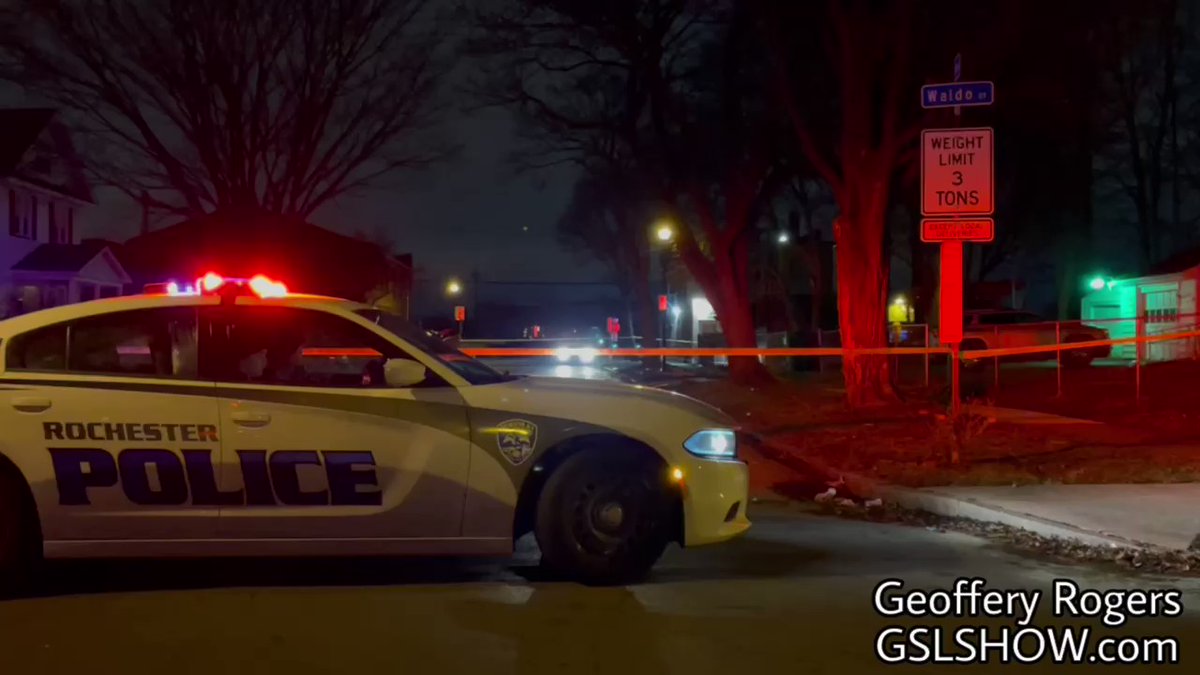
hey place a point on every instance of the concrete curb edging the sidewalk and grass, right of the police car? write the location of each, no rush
(932, 501)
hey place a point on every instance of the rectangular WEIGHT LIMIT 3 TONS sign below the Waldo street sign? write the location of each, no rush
(957, 176)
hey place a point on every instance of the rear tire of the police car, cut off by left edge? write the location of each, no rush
(20, 539)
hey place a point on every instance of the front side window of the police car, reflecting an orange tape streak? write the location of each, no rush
(295, 348)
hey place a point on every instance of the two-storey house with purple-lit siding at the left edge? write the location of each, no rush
(43, 193)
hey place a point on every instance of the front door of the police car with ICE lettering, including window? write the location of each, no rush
(317, 445)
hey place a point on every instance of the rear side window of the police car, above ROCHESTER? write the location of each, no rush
(158, 343)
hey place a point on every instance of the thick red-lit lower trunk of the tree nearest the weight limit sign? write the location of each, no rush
(862, 306)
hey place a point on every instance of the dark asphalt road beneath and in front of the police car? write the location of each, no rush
(794, 596)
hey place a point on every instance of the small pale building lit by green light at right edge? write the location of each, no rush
(1166, 301)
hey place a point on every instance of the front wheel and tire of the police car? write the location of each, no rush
(604, 517)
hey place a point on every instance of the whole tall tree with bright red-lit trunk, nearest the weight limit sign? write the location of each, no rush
(869, 53)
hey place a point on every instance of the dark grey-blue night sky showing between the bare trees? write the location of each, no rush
(467, 213)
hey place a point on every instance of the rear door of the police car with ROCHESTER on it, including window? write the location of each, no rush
(109, 419)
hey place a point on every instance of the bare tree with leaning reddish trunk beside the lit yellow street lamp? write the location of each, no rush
(668, 87)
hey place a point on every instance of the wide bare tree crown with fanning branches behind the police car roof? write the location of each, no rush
(248, 106)
